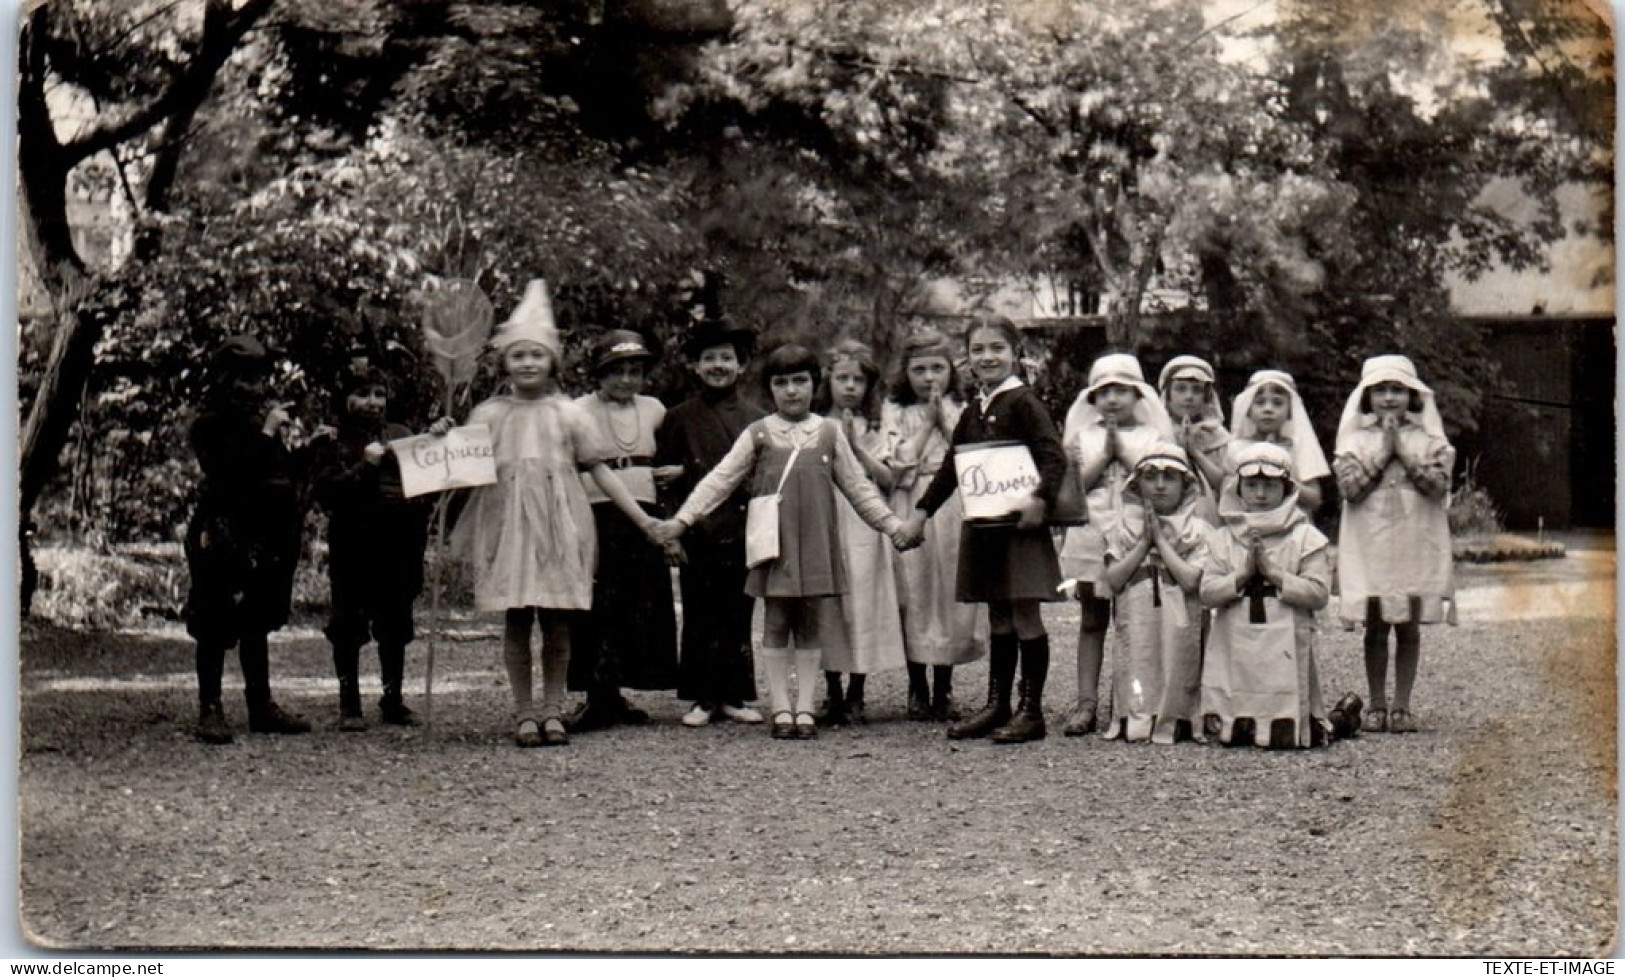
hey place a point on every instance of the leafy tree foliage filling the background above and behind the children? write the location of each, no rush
(1299, 206)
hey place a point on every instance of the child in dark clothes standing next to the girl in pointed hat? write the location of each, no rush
(376, 544)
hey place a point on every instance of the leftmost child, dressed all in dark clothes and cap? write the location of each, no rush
(243, 541)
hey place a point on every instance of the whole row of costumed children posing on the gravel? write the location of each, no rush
(1195, 539)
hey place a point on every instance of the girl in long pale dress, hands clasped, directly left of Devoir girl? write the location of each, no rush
(938, 632)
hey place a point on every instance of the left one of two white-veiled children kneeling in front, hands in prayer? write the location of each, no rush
(1151, 570)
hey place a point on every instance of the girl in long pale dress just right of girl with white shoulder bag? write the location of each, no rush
(864, 630)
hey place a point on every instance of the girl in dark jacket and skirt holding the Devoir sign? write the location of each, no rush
(1010, 568)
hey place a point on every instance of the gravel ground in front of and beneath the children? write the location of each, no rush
(1493, 833)
